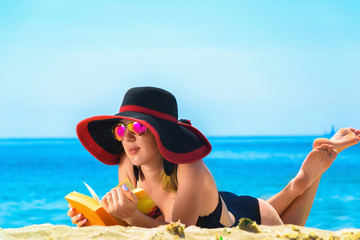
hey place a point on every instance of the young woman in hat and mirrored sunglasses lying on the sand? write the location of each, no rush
(164, 156)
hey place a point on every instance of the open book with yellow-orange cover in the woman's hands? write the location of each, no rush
(94, 212)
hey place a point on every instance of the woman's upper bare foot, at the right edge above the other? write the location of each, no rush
(342, 139)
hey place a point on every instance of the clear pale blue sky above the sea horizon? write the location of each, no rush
(236, 67)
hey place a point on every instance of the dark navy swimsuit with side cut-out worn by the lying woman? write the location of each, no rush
(239, 206)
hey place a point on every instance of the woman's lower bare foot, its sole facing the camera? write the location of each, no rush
(315, 164)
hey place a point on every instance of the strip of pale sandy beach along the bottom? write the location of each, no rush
(174, 231)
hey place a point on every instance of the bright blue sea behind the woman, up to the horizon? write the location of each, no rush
(36, 174)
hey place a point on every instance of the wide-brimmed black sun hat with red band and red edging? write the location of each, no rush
(155, 108)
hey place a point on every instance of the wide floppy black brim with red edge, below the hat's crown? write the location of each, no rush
(189, 145)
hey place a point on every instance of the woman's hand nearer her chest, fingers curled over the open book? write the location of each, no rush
(121, 203)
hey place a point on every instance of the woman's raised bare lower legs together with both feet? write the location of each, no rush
(294, 202)
